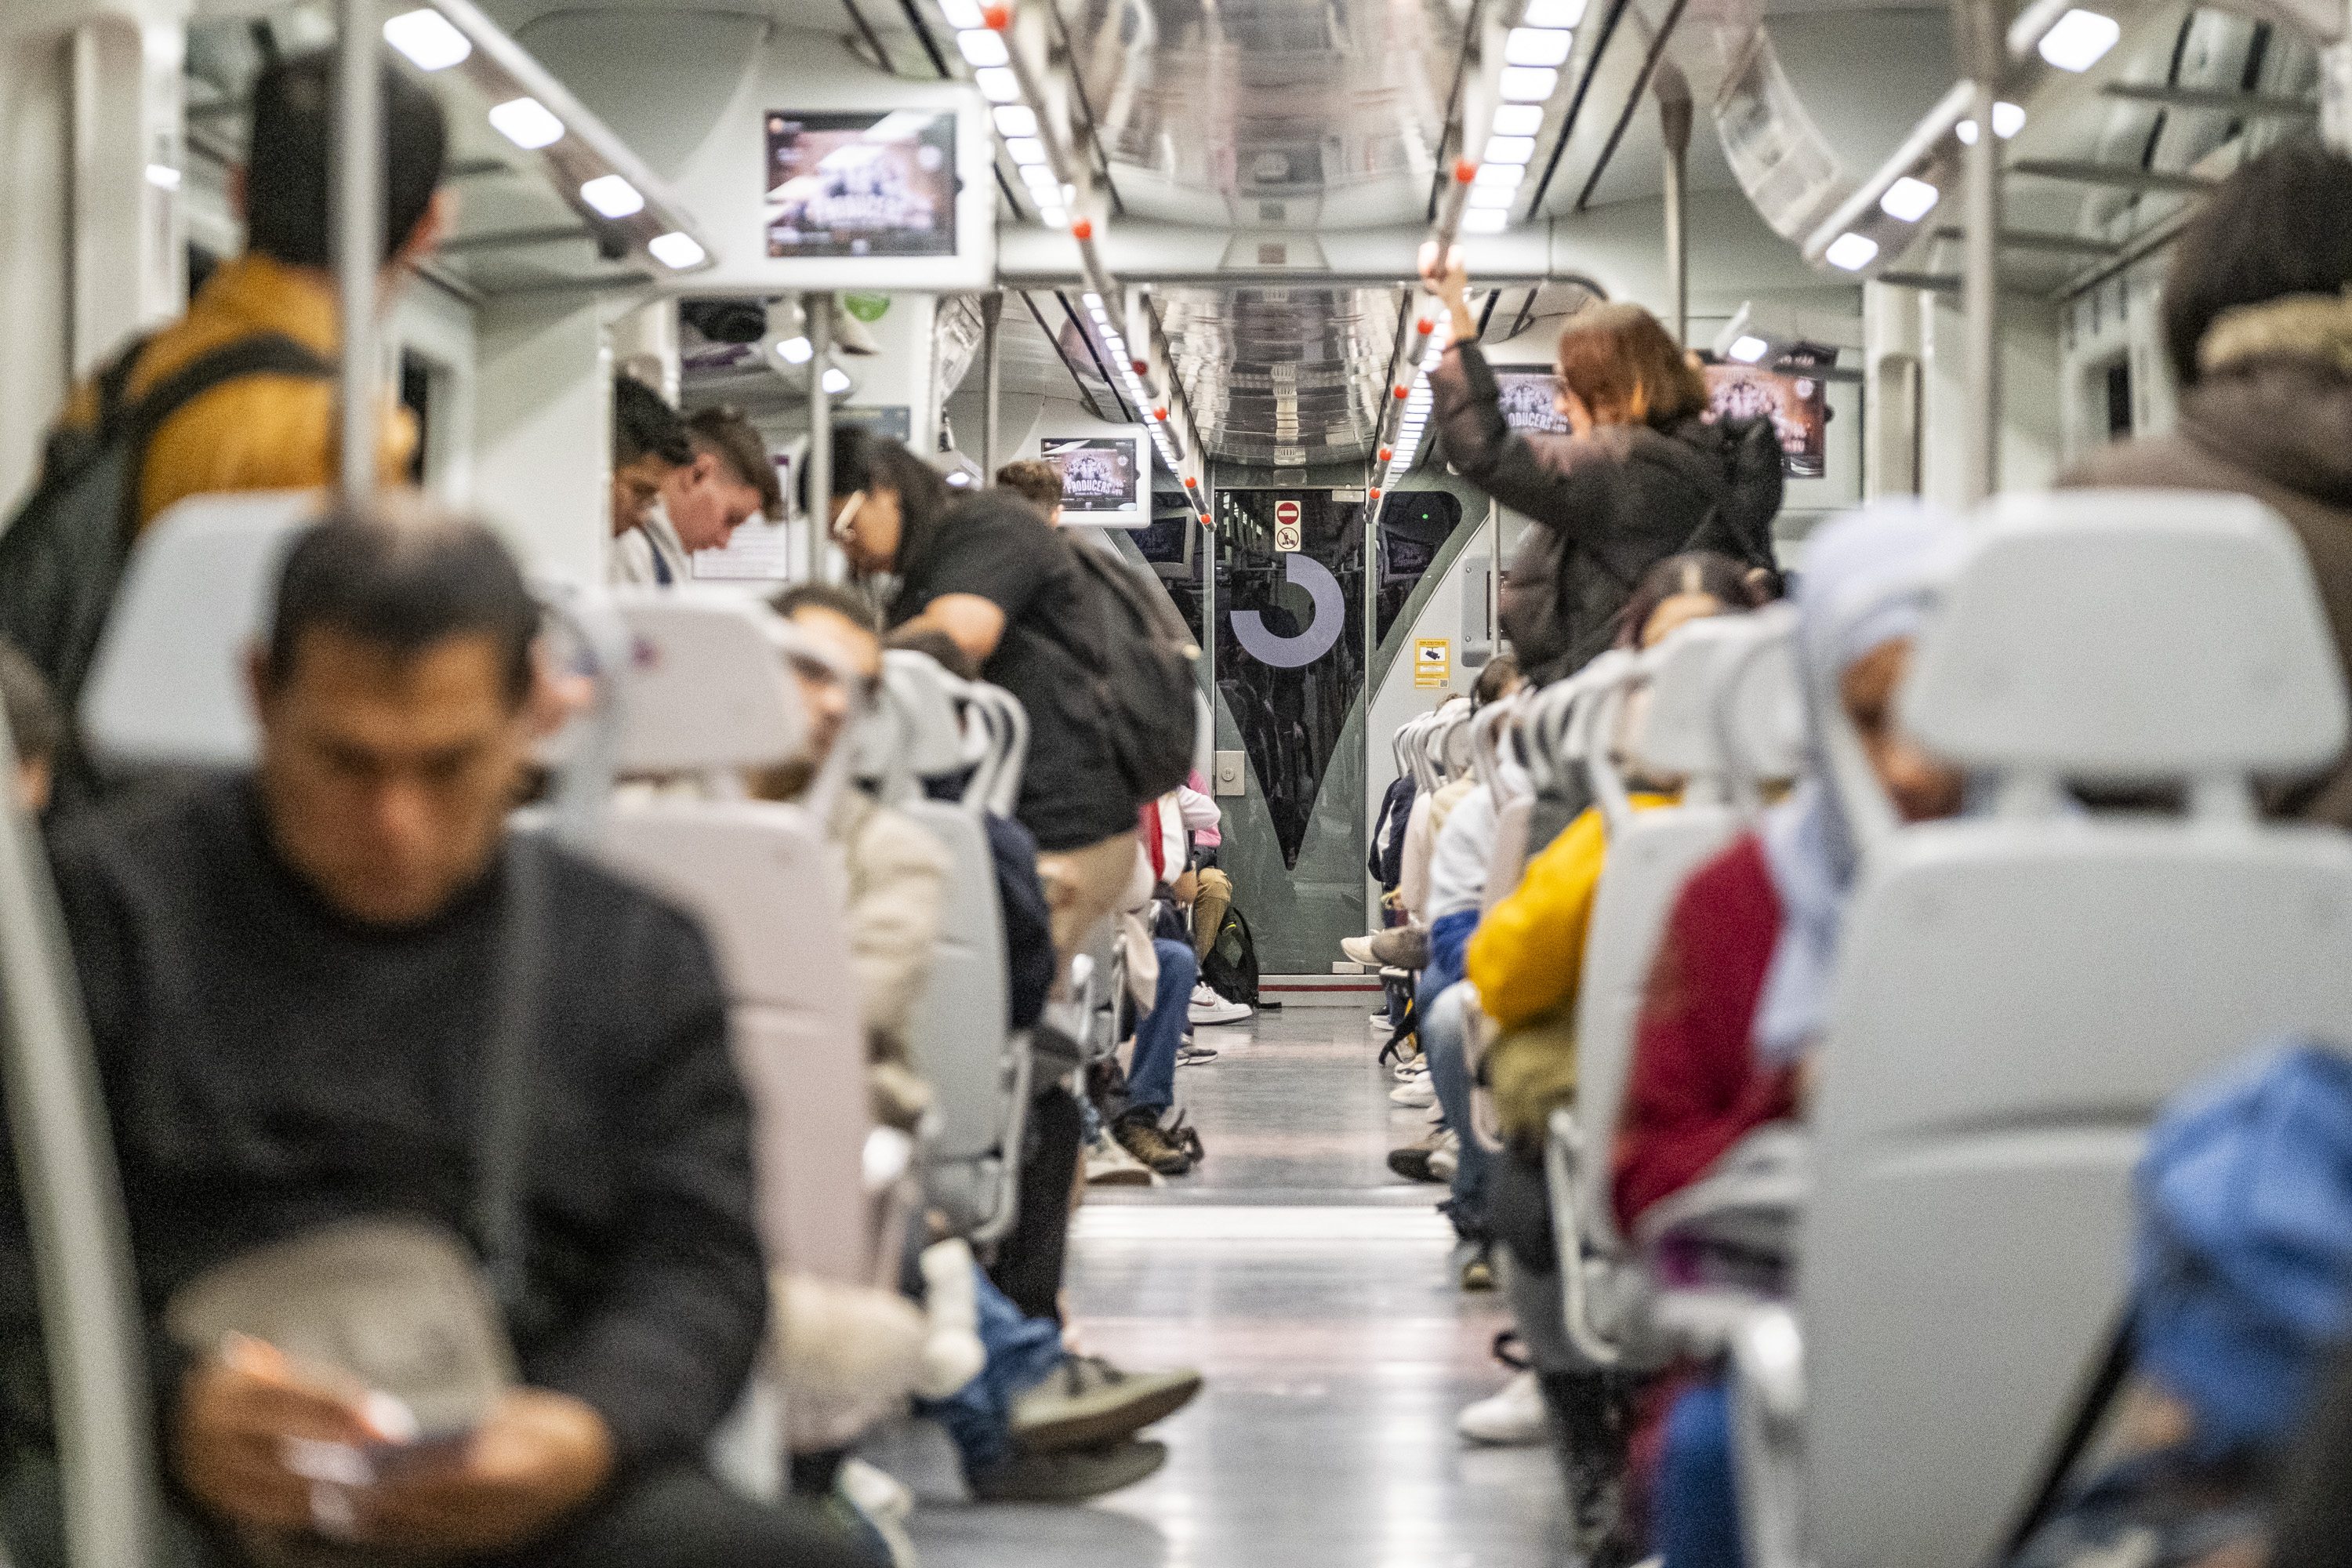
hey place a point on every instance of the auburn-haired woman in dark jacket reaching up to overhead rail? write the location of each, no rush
(1645, 474)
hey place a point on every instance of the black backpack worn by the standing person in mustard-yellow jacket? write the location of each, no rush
(65, 551)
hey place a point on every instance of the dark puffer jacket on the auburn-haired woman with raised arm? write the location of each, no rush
(1610, 507)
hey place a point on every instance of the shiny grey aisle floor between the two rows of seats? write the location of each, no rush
(1314, 1292)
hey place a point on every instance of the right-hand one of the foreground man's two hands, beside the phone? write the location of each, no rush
(537, 1459)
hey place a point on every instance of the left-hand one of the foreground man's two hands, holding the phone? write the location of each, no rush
(243, 1416)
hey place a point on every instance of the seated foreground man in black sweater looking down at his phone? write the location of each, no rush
(290, 981)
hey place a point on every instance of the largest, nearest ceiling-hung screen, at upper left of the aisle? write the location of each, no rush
(871, 185)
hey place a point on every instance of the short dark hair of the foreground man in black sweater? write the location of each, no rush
(406, 577)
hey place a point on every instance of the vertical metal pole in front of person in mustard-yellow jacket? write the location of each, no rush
(356, 199)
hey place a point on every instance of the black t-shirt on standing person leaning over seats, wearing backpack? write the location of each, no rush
(998, 549)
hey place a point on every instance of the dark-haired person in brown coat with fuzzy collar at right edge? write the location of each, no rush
(2257, 326)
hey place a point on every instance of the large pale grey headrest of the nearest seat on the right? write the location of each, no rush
(2130, 636)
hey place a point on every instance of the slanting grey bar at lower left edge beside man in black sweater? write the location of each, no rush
(74, 1219)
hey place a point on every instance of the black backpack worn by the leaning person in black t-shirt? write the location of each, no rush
(1144, 683)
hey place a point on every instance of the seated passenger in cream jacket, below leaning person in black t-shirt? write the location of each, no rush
(897, 871)
